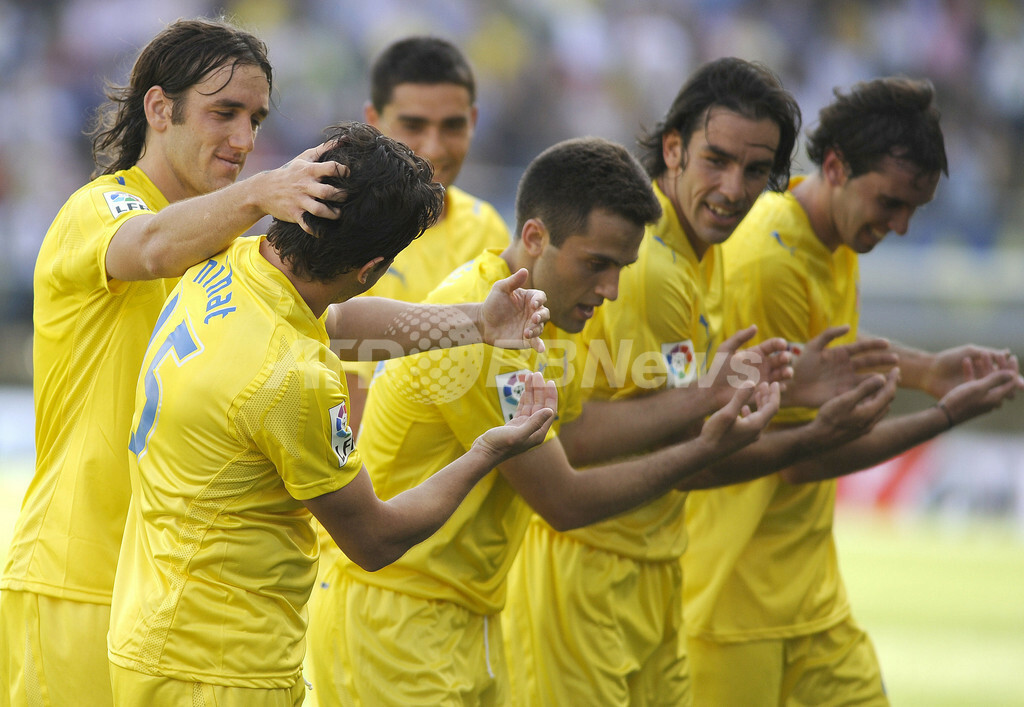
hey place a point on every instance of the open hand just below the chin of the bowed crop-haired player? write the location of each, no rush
(514, 317)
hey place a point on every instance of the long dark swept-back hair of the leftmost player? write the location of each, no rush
(176, 60)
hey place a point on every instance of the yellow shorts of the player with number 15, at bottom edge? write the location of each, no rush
(154, 691)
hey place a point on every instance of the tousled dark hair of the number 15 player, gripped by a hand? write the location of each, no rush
(391, 200)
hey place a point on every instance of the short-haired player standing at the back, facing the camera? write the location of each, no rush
(423, 94)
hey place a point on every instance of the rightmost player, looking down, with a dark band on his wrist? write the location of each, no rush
(765, 609)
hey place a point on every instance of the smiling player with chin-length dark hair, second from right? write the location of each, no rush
(729, 135)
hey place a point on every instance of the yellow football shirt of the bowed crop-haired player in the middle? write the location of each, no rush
(423, 412)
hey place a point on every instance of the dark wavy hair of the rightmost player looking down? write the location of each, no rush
(888, 117)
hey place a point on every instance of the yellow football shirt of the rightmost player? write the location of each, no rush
(762, 561)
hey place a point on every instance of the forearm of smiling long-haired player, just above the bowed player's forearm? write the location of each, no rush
(610, 430)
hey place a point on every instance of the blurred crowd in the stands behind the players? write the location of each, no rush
(548, 71)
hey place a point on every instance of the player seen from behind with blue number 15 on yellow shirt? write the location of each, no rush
(240, 432)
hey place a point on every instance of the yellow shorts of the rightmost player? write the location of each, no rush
(833, 668)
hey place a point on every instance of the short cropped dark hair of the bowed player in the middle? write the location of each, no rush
(566, 183)
